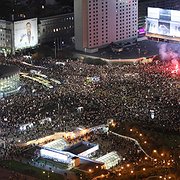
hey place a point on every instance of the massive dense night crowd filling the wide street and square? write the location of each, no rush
(123, 93)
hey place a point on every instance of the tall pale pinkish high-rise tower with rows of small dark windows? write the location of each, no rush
(100, 22)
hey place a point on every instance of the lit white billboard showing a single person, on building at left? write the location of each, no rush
(25, 33)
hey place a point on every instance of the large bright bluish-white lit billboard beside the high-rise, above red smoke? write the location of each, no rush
(163, 22)
